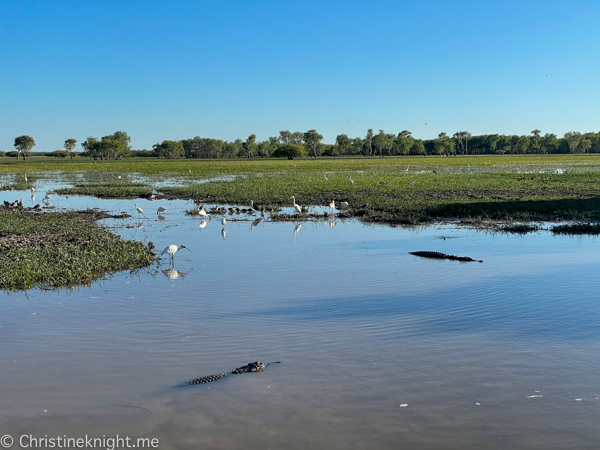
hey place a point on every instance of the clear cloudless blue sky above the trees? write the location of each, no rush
(226, 69)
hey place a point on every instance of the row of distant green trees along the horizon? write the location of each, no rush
(297, 144)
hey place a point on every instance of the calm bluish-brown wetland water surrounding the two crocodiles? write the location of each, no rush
(497, 355)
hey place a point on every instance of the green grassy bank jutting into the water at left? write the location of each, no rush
(51, 250)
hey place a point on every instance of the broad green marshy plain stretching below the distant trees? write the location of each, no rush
(416, 190)
